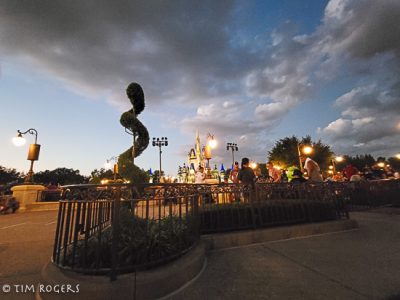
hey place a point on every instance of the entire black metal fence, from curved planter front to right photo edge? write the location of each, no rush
(121, 228)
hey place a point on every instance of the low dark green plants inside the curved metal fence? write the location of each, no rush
(140, 243)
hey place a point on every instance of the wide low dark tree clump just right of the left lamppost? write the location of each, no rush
(61, 176)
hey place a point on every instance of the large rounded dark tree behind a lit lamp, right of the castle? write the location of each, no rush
(285, 152)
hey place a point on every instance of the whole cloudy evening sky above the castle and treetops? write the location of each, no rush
(249, 72)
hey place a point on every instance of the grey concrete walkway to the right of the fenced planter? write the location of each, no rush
(358, 264)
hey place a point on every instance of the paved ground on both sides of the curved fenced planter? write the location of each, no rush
(359, 264)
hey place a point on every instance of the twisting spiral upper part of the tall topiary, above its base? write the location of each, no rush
(132, 125)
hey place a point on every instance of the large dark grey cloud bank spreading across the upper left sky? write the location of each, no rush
(174, 49)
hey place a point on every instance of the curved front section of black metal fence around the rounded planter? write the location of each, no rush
(122, 228)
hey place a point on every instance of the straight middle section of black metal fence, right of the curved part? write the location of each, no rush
(235, 207)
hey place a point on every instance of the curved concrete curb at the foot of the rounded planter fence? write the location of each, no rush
(150, 284)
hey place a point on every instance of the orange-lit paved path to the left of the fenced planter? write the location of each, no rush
(26, 241)
